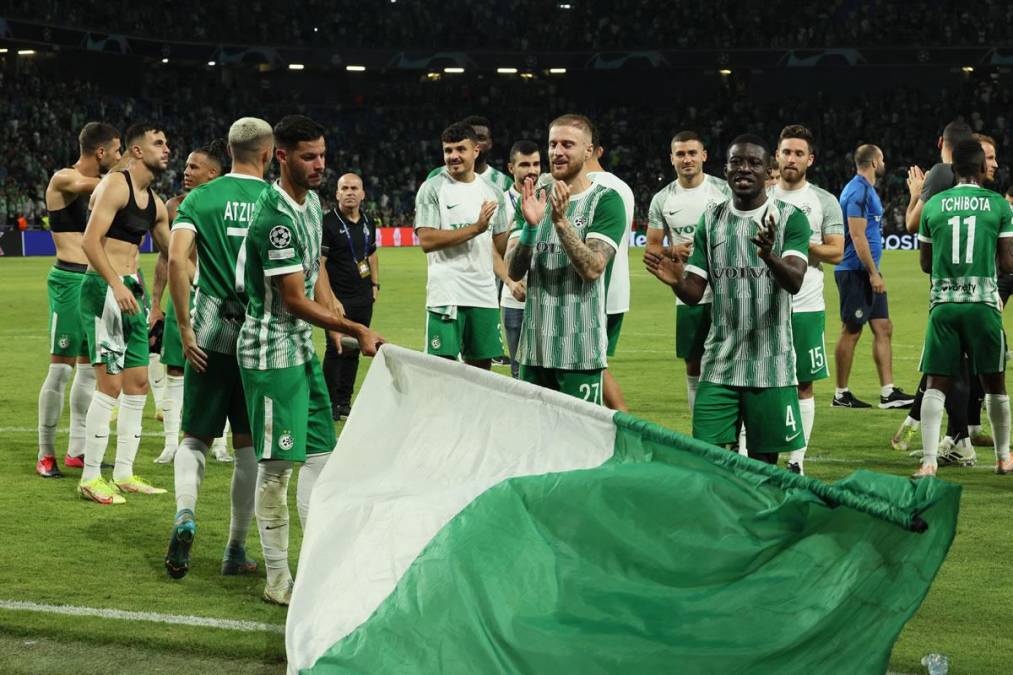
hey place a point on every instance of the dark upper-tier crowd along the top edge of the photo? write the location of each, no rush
(541, 25)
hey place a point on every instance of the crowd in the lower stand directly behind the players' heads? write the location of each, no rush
(392, 136)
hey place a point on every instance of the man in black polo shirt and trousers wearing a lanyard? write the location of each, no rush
(350, 240)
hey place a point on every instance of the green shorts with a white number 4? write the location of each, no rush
(773, 423)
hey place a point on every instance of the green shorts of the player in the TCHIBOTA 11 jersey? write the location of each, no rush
(971, 329)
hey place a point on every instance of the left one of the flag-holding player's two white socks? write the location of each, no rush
(272, 507)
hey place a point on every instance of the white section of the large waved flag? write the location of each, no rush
(427, 437)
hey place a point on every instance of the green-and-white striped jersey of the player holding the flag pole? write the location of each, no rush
(284, 239)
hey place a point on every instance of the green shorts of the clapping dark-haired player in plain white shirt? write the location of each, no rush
(475, 334)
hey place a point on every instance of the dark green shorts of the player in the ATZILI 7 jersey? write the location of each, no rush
(214, 396)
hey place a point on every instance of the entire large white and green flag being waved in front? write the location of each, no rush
(469, 523)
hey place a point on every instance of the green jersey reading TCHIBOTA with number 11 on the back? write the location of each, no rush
(964, 224)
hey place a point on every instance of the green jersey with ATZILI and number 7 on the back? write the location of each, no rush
(219, 213)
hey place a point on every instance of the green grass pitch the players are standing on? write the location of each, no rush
(57, 550)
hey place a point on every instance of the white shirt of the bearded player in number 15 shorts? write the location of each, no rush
(824, 213)
